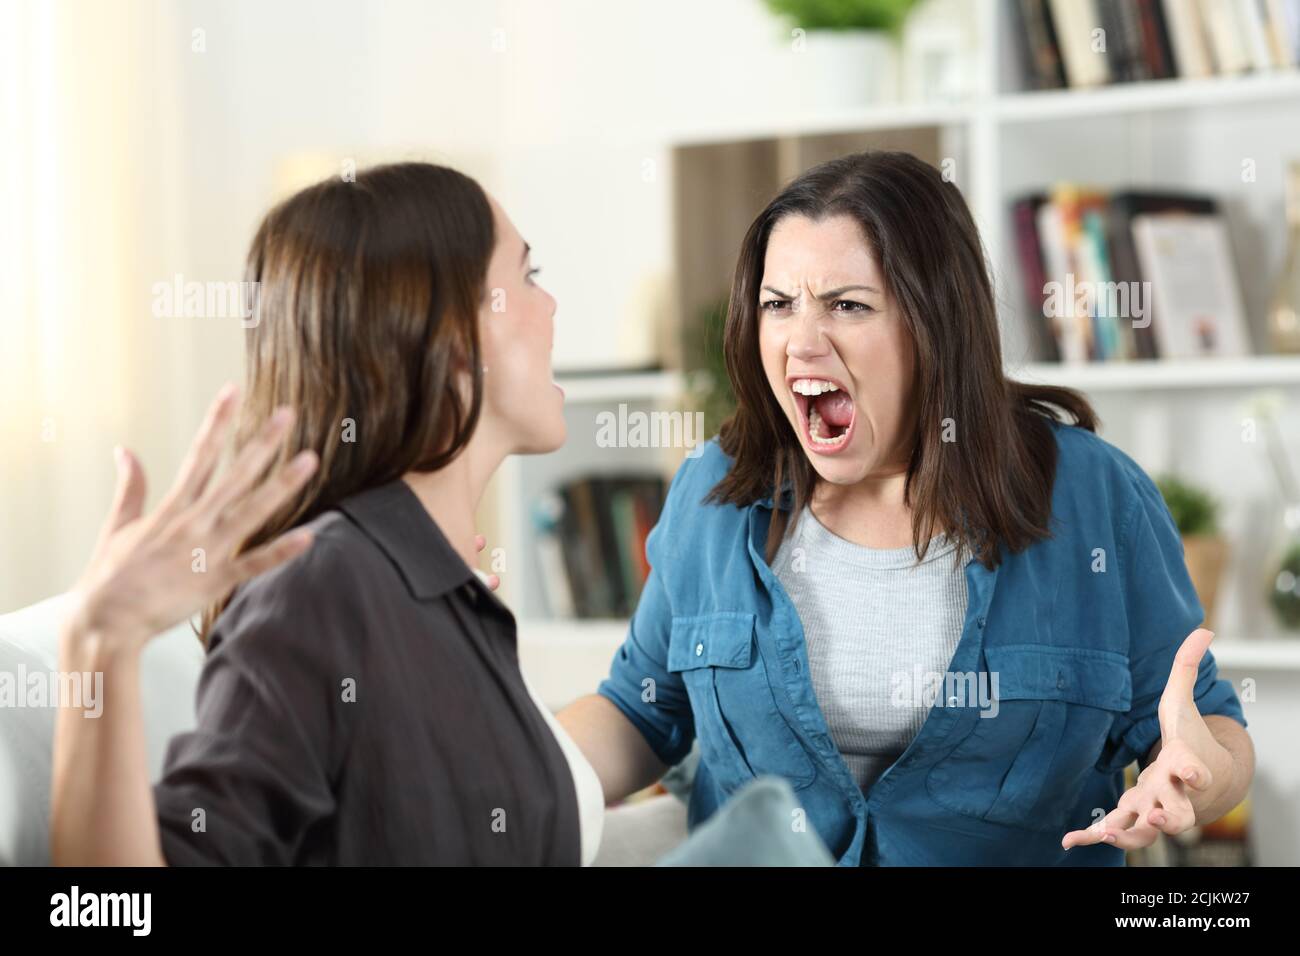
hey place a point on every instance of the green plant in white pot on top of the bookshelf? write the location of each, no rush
(848, 49)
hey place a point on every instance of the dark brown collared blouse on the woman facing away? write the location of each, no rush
(363, 704)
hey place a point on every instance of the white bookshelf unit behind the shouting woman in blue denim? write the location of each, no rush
(1007, 142)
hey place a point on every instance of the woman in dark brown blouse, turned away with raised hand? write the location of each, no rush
(362, 700)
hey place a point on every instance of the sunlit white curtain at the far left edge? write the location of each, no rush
(90, 218)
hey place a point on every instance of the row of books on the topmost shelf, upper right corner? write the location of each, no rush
(1082, 44)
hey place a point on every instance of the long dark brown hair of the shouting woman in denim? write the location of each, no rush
(994, 483)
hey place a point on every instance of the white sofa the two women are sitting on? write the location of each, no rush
(635, 834)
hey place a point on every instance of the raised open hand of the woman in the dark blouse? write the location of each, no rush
(150, 573)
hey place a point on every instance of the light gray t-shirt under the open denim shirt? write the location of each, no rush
(879, 628)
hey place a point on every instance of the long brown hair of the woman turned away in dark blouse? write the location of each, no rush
(367, 308)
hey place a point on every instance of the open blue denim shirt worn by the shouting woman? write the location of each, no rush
(1080, 630)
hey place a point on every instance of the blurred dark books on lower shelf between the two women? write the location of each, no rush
(592, 544)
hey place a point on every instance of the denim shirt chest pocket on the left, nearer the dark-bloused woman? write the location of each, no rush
(740, 729)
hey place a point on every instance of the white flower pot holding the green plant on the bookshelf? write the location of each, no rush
(842, 70)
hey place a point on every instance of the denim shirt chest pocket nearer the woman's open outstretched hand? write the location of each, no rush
(1025, 763)
